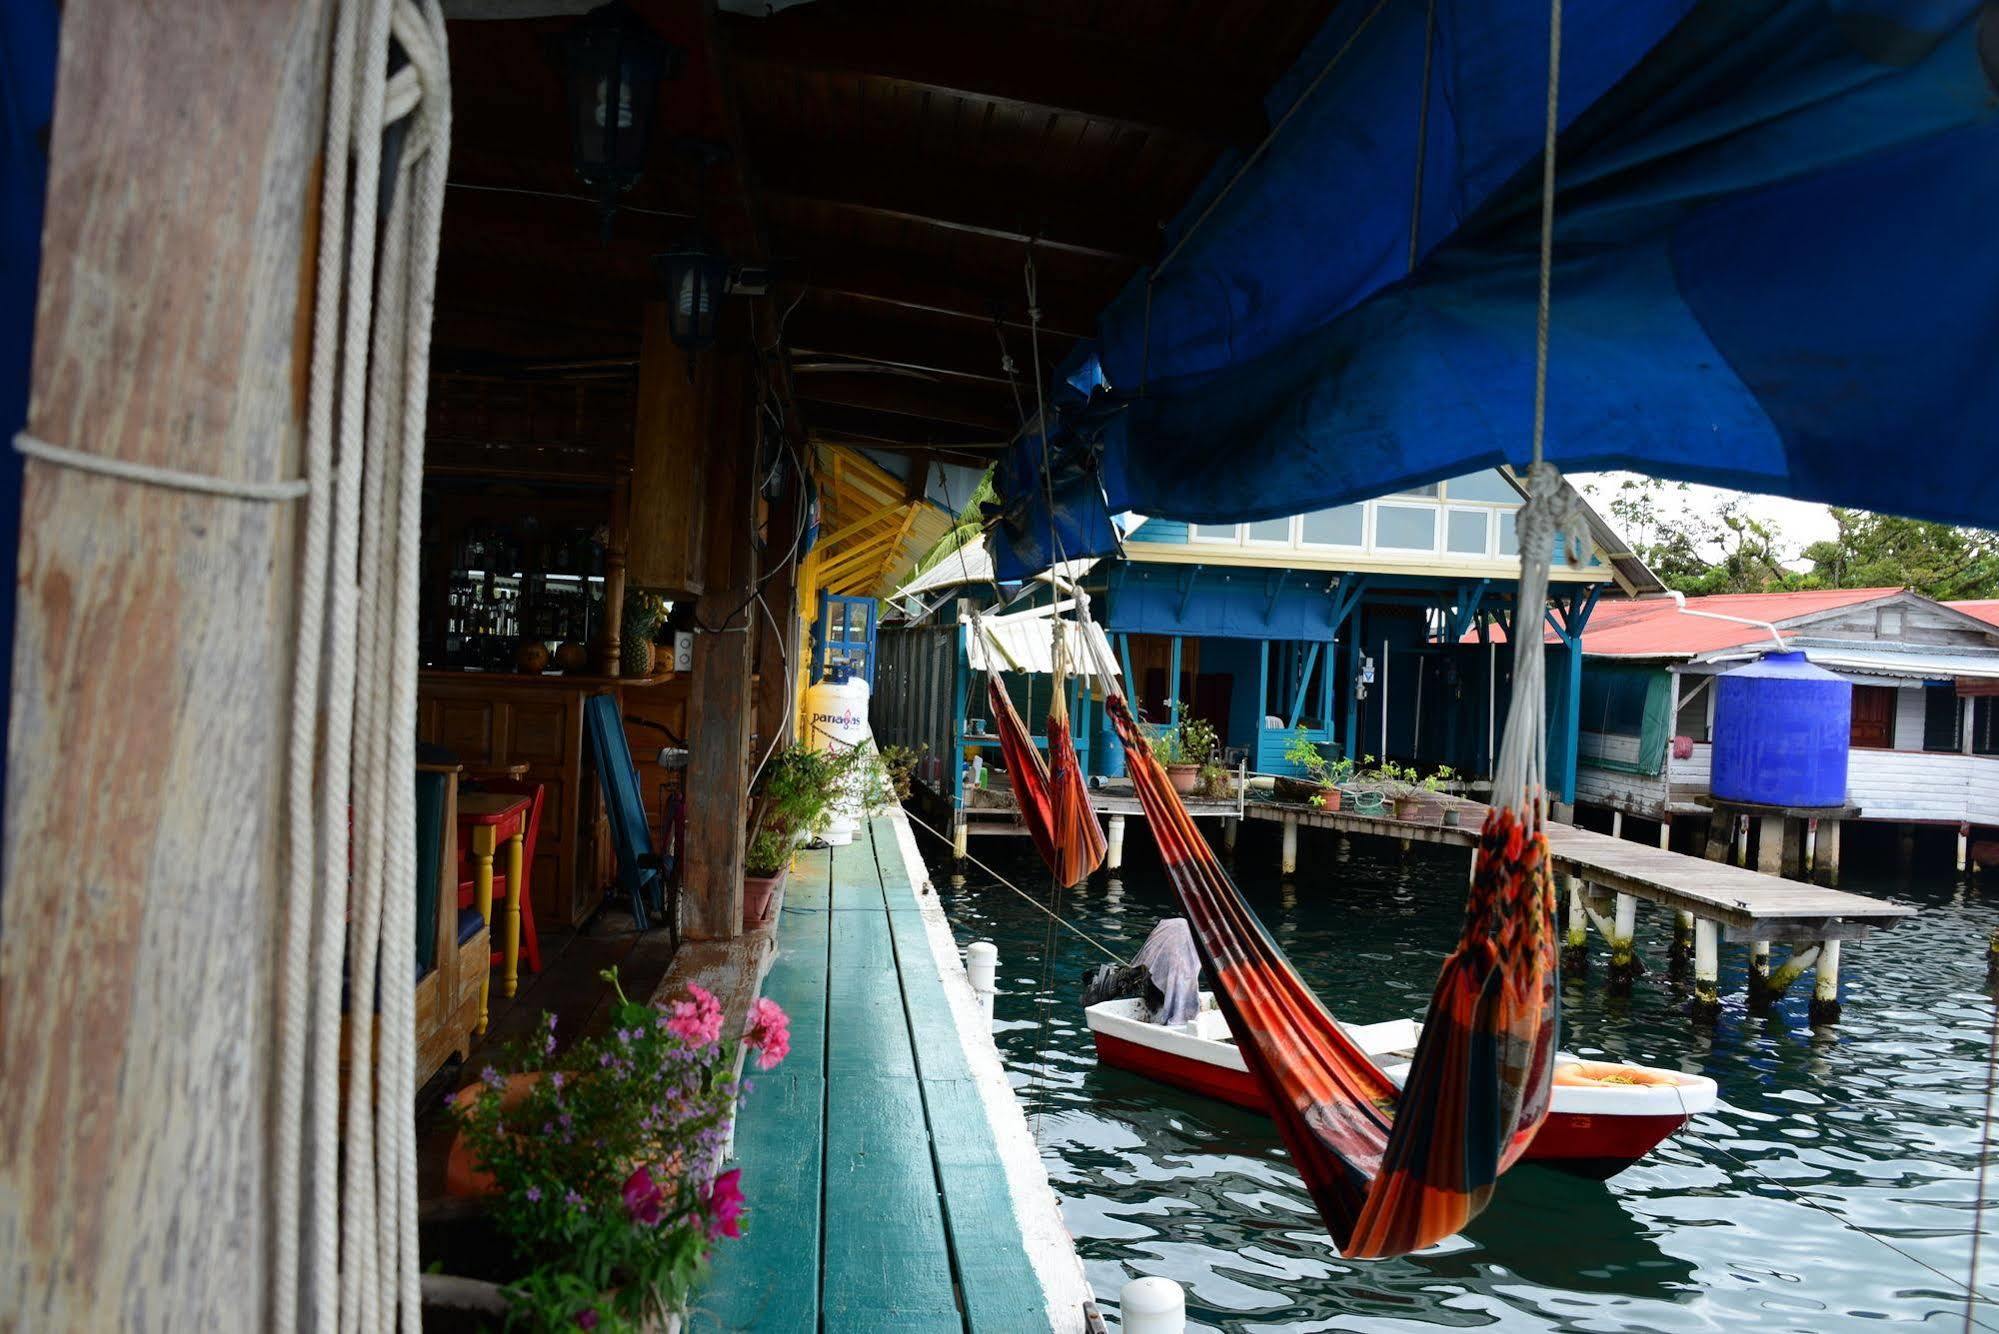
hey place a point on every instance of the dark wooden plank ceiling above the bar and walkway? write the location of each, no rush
(893, 163)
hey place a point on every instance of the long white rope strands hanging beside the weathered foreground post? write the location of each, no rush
(345, 1239)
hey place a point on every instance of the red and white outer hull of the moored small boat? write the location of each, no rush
(1592, 1131)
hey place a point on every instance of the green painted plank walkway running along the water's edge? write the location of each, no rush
(877, 1193)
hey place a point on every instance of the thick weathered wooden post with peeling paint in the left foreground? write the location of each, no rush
(145, 905)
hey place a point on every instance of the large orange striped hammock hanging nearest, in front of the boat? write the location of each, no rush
(1390, 1173)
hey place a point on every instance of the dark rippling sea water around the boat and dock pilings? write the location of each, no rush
(1740, 1223)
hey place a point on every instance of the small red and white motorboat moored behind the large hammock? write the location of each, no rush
(1604, 1117)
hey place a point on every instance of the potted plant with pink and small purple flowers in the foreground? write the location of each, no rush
(599, 1165)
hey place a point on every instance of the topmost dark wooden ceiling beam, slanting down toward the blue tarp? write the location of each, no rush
(1010, 63)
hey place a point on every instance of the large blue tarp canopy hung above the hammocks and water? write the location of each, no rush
(1774, 271)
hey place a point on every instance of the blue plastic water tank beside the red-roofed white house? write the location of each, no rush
(1782, 735)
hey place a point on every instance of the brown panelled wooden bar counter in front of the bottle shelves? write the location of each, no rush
(491, 721)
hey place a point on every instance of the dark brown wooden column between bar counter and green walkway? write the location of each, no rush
(721, 697)
